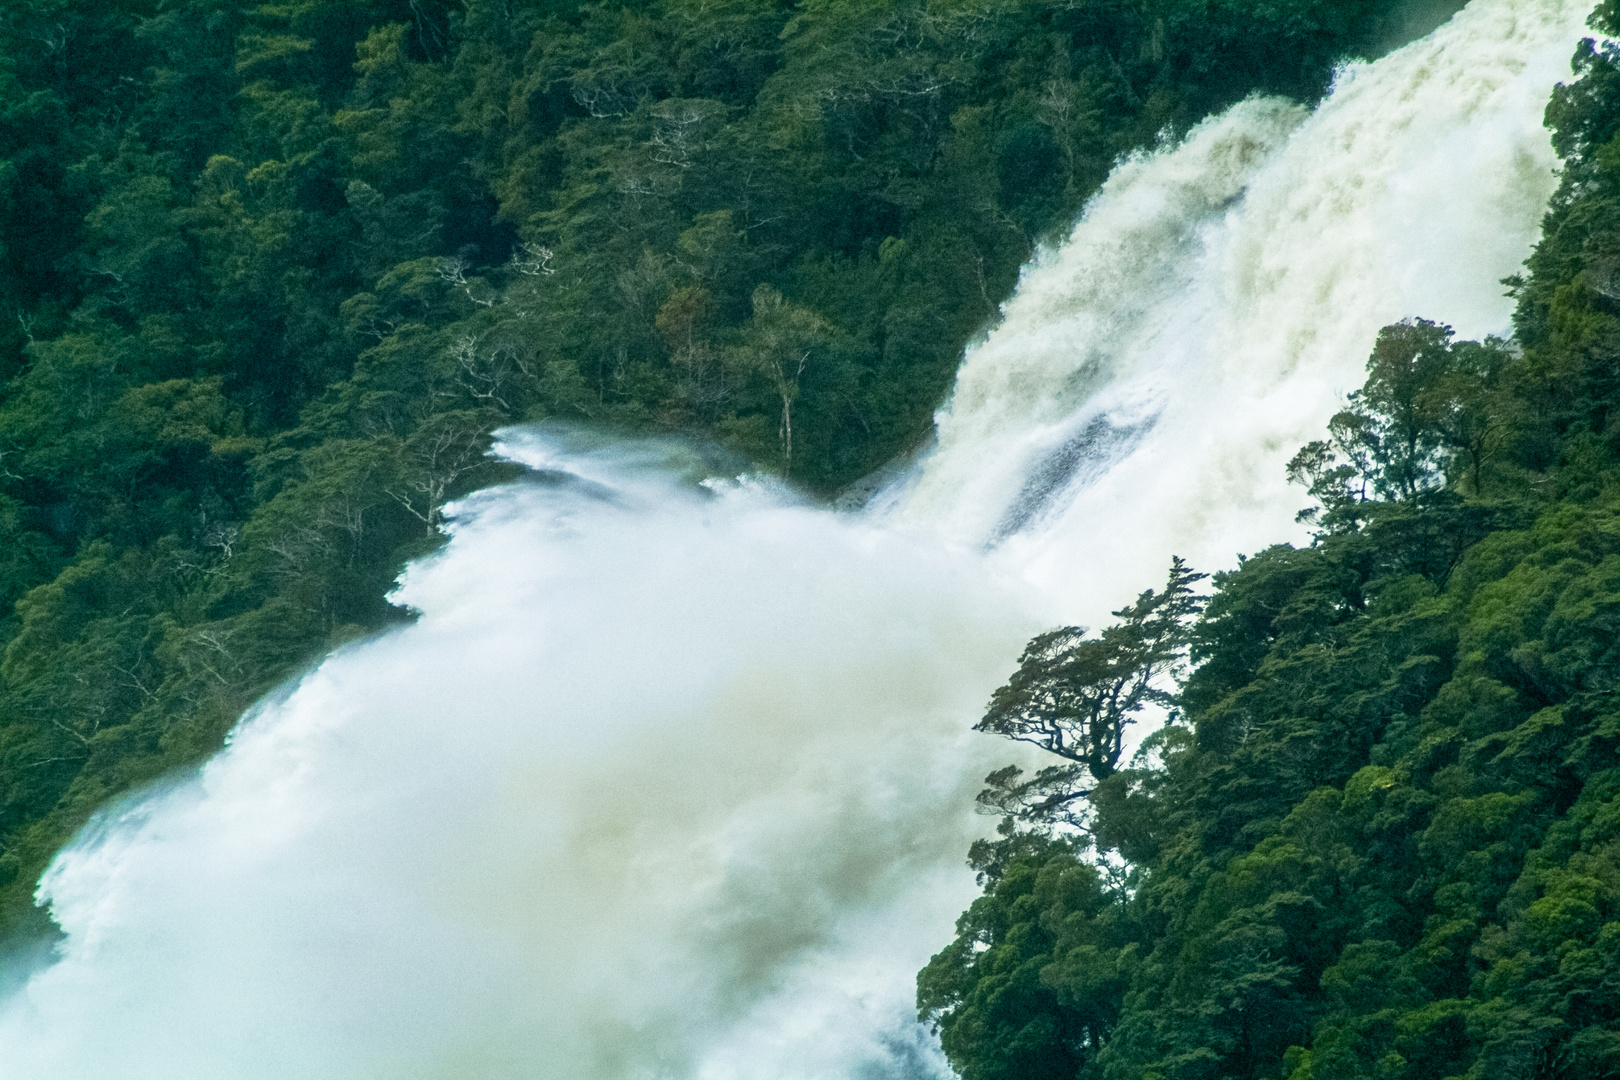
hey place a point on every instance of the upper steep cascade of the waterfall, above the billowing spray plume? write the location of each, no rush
(1153, 378)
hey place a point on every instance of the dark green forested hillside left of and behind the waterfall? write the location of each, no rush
(273, 273)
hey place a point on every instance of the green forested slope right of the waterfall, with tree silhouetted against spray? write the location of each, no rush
(1381, 836)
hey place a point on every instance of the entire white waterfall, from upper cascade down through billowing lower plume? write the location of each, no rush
(675, 781)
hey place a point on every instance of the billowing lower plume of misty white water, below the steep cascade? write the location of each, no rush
(655, 768)
